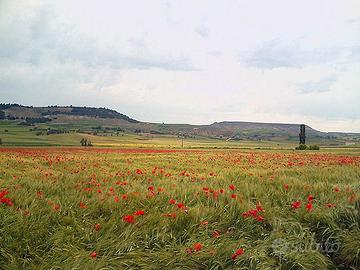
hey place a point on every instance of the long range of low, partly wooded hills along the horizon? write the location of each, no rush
(103, 121)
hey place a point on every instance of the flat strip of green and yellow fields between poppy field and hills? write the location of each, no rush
(13, 134)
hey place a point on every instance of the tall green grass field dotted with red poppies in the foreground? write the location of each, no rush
(59, 196)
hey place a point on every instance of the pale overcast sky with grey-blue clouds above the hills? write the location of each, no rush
(188, 61)
